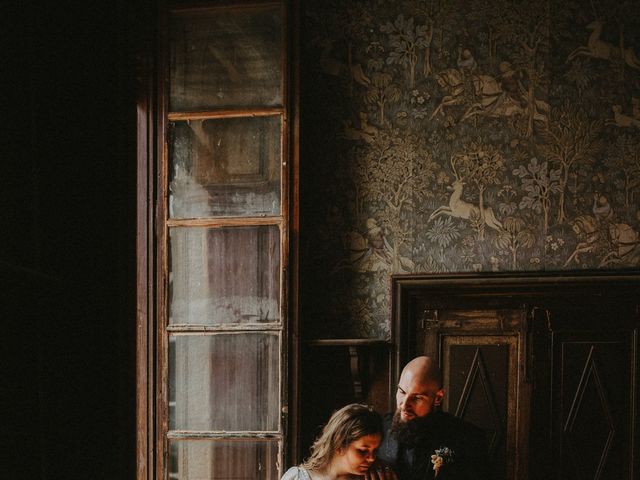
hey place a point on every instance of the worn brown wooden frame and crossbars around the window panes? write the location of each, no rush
(152, 233)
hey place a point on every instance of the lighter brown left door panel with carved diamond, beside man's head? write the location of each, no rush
(481, 353)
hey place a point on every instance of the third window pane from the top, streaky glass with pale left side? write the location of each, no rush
(224, 275)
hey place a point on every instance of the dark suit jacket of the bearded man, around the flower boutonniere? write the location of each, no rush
(413, 462)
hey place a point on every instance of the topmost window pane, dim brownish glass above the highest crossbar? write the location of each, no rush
(226, 58)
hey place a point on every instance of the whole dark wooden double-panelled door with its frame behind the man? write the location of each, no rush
(548, 365)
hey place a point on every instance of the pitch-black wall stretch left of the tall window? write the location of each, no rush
(67, 260)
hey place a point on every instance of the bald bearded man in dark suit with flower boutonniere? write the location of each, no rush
(422, 442)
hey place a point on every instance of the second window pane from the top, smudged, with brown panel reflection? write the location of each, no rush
(225, 167)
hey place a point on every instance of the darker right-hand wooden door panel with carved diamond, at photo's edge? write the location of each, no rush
(584, 423)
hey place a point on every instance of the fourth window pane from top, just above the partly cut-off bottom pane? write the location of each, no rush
(224, 382)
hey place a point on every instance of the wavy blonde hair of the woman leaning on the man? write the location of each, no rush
(345, 426)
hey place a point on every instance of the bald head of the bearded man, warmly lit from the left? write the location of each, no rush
(419, 389)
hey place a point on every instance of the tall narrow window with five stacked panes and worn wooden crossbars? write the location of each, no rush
(222, 249)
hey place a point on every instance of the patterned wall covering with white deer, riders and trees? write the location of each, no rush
(463, 136)
